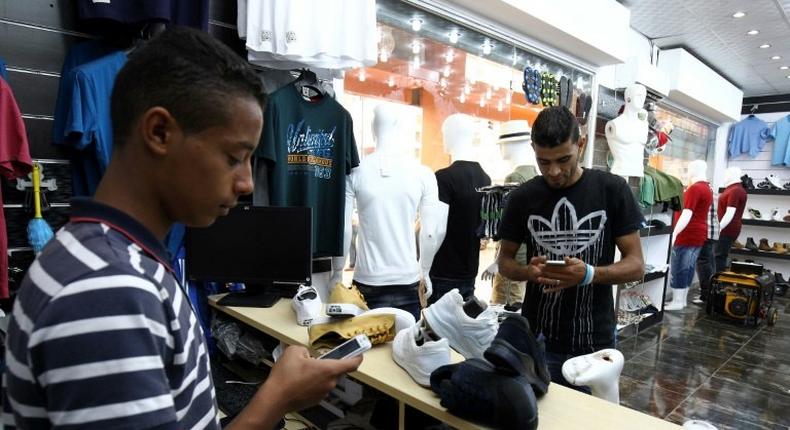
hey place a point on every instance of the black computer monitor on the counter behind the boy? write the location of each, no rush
(269, 249)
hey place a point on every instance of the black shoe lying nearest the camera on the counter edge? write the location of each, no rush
(474, 389)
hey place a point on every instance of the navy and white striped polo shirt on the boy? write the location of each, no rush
(103, 336)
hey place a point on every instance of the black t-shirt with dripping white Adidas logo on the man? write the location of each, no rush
(581, 221)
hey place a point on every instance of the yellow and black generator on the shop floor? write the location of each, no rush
(745, 297)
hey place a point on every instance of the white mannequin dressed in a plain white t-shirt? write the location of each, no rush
(390, 185)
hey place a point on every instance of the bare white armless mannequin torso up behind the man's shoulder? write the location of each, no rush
(627, 134)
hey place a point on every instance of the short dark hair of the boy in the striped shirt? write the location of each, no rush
(187, 72)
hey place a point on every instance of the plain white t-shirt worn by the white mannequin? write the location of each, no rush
(387, 206)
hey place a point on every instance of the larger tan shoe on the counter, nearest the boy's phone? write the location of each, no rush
(380, 328)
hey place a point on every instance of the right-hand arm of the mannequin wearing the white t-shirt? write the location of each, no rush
(433, 228)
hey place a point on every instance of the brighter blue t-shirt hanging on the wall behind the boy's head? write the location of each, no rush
(88, 124)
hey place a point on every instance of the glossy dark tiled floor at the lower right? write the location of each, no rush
(694, 366)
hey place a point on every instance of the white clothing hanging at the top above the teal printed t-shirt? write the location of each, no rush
(313, 33)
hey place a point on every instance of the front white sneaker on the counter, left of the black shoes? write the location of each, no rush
(418, 355)
